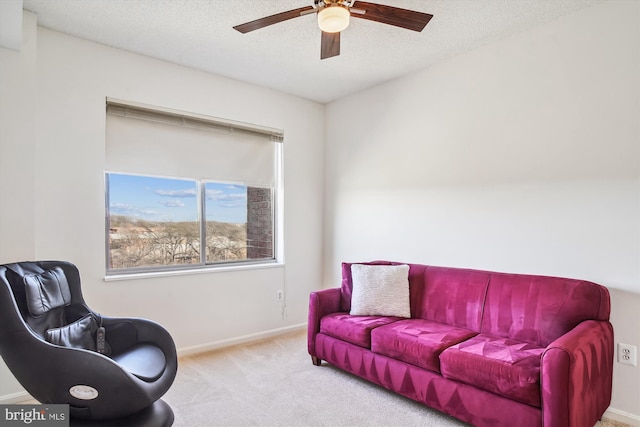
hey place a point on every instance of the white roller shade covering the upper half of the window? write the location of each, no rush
(155, 141)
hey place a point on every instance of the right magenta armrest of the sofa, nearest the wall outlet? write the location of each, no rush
(576, 375)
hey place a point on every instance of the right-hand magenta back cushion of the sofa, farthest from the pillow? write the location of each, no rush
(539, 309)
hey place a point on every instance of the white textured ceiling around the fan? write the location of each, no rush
(286, 56)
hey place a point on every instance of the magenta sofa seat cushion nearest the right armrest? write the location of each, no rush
(502, 366)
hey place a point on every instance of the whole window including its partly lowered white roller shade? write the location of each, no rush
(186, 191)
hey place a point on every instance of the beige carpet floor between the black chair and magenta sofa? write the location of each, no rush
(274, 383)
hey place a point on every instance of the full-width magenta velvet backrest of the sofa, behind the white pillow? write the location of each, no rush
(527, 308)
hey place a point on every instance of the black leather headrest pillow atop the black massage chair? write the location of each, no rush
(46, 290)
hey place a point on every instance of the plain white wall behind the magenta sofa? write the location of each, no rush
(520, 156)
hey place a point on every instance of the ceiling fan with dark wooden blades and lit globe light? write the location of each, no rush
(333, 17)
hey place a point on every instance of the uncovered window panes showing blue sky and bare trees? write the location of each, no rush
(155, 222)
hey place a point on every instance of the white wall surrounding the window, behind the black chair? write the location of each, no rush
(52, 158)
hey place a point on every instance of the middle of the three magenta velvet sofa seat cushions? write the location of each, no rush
(417, 341)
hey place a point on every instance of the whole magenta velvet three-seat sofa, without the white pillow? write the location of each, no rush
(491, 349)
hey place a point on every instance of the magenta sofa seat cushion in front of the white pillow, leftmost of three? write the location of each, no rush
(353, 329)
